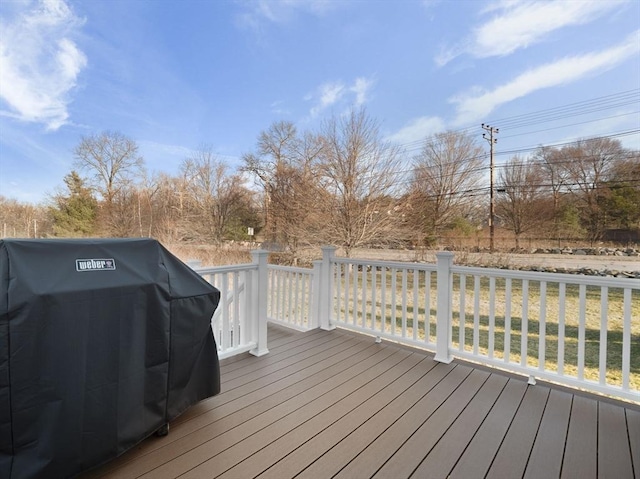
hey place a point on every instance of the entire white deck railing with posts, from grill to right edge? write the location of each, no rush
(580, 331)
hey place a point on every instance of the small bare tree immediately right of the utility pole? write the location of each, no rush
(523, 205)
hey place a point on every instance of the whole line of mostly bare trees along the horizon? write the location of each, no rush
(343, 184)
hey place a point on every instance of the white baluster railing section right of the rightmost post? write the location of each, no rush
(571, 329)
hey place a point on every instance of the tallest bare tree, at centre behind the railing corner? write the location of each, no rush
(360, 174)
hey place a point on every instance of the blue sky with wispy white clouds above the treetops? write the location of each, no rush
(175, 75)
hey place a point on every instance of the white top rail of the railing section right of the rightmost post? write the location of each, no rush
(549, 277)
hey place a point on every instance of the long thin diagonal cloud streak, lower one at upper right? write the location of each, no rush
(476, 105)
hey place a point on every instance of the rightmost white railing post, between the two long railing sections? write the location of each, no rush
(443, 307)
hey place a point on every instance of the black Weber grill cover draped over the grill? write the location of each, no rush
(102, 342)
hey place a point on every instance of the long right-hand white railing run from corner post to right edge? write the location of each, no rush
(580, 331)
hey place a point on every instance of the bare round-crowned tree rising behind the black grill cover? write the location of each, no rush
(113, 164)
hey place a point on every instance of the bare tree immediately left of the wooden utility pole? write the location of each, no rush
(446, 177)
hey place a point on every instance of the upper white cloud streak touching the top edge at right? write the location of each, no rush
(517, 25)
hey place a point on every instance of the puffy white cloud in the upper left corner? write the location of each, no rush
(39, 63)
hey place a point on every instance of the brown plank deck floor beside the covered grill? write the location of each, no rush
(336, 404)
